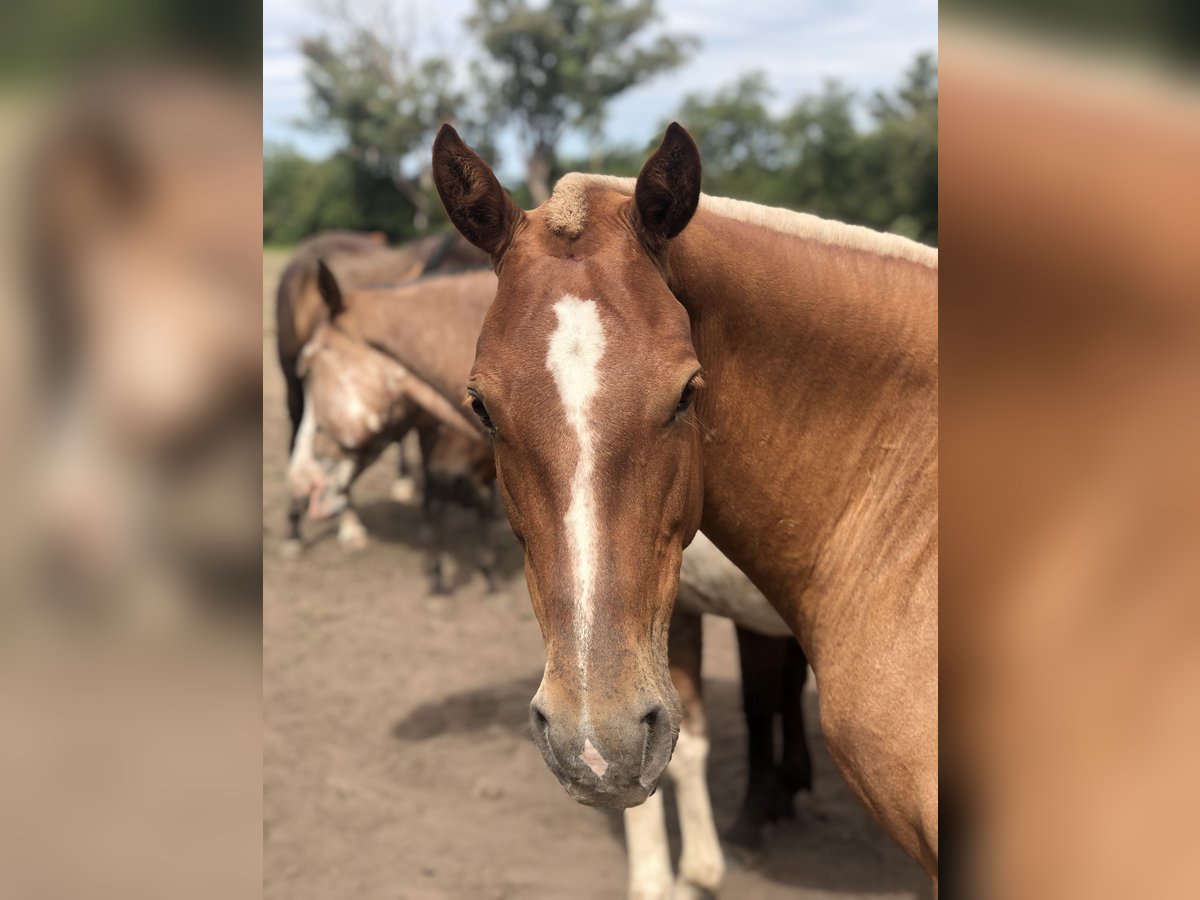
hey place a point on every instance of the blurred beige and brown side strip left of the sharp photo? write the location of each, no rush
(130, 451)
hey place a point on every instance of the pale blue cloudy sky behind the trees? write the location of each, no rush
(799, 44)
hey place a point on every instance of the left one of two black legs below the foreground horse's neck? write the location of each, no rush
(763, 667)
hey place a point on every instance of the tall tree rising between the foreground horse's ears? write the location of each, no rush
(556, 67)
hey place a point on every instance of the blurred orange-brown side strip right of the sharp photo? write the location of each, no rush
(1071, 433)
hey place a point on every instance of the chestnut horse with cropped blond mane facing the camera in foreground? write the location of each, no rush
(657, 362)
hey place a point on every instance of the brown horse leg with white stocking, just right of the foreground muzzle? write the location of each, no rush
(701, 863)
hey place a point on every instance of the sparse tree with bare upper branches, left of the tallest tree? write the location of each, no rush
(365, 83)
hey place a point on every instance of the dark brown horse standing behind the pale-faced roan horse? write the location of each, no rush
(362, 259)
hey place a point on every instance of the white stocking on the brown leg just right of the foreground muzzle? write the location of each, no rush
(701, 863)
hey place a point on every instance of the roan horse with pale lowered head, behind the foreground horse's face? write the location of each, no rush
(359, 400)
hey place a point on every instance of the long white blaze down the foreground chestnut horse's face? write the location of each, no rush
(574, 359)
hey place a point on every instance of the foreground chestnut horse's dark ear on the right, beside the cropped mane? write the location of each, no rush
(669, 188)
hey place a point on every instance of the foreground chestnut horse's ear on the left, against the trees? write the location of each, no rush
(477, 205)
